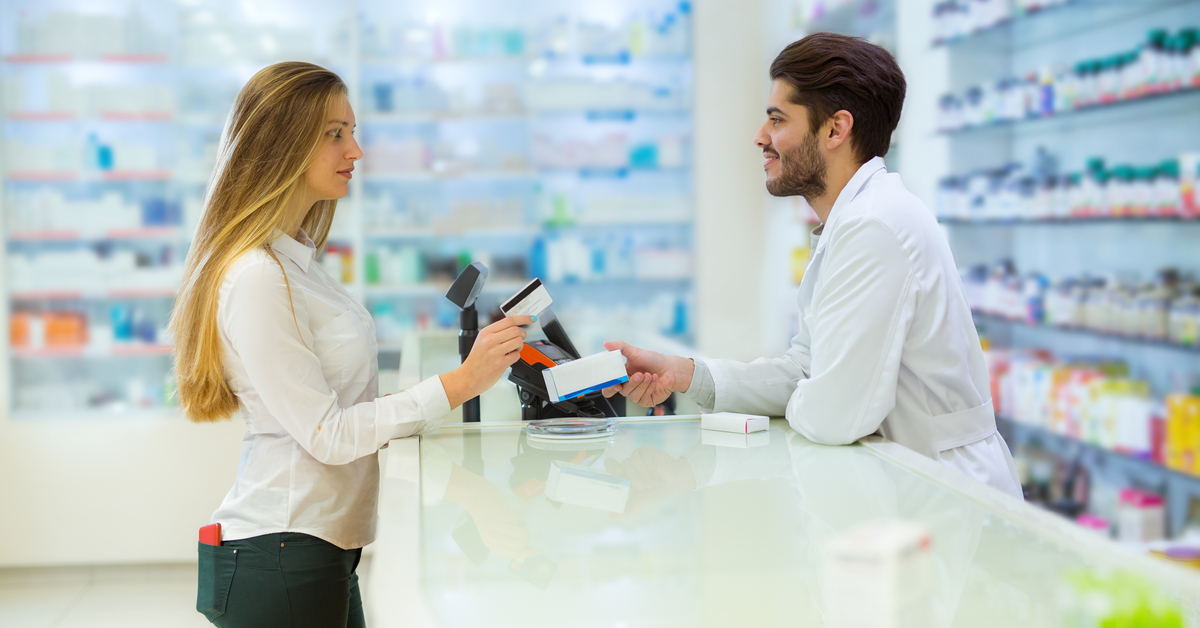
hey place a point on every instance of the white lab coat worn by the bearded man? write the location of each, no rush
(886, 340)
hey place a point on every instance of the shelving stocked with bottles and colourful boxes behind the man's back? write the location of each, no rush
(1070, 131)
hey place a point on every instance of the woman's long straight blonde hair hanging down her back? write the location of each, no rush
(272, 137)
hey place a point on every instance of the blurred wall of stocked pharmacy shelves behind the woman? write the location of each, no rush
(543, 139)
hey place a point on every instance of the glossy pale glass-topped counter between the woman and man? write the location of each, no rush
(663, 525)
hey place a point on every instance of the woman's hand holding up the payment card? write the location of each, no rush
(497, 348)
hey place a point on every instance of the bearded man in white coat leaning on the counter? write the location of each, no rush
(886, 340)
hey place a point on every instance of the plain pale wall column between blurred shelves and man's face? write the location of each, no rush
(730, 216)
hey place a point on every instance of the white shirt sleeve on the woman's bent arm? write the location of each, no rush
(284, 372)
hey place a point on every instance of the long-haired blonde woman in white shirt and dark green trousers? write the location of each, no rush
(261, 328)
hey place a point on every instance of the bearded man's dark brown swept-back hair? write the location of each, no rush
(831, 73)
